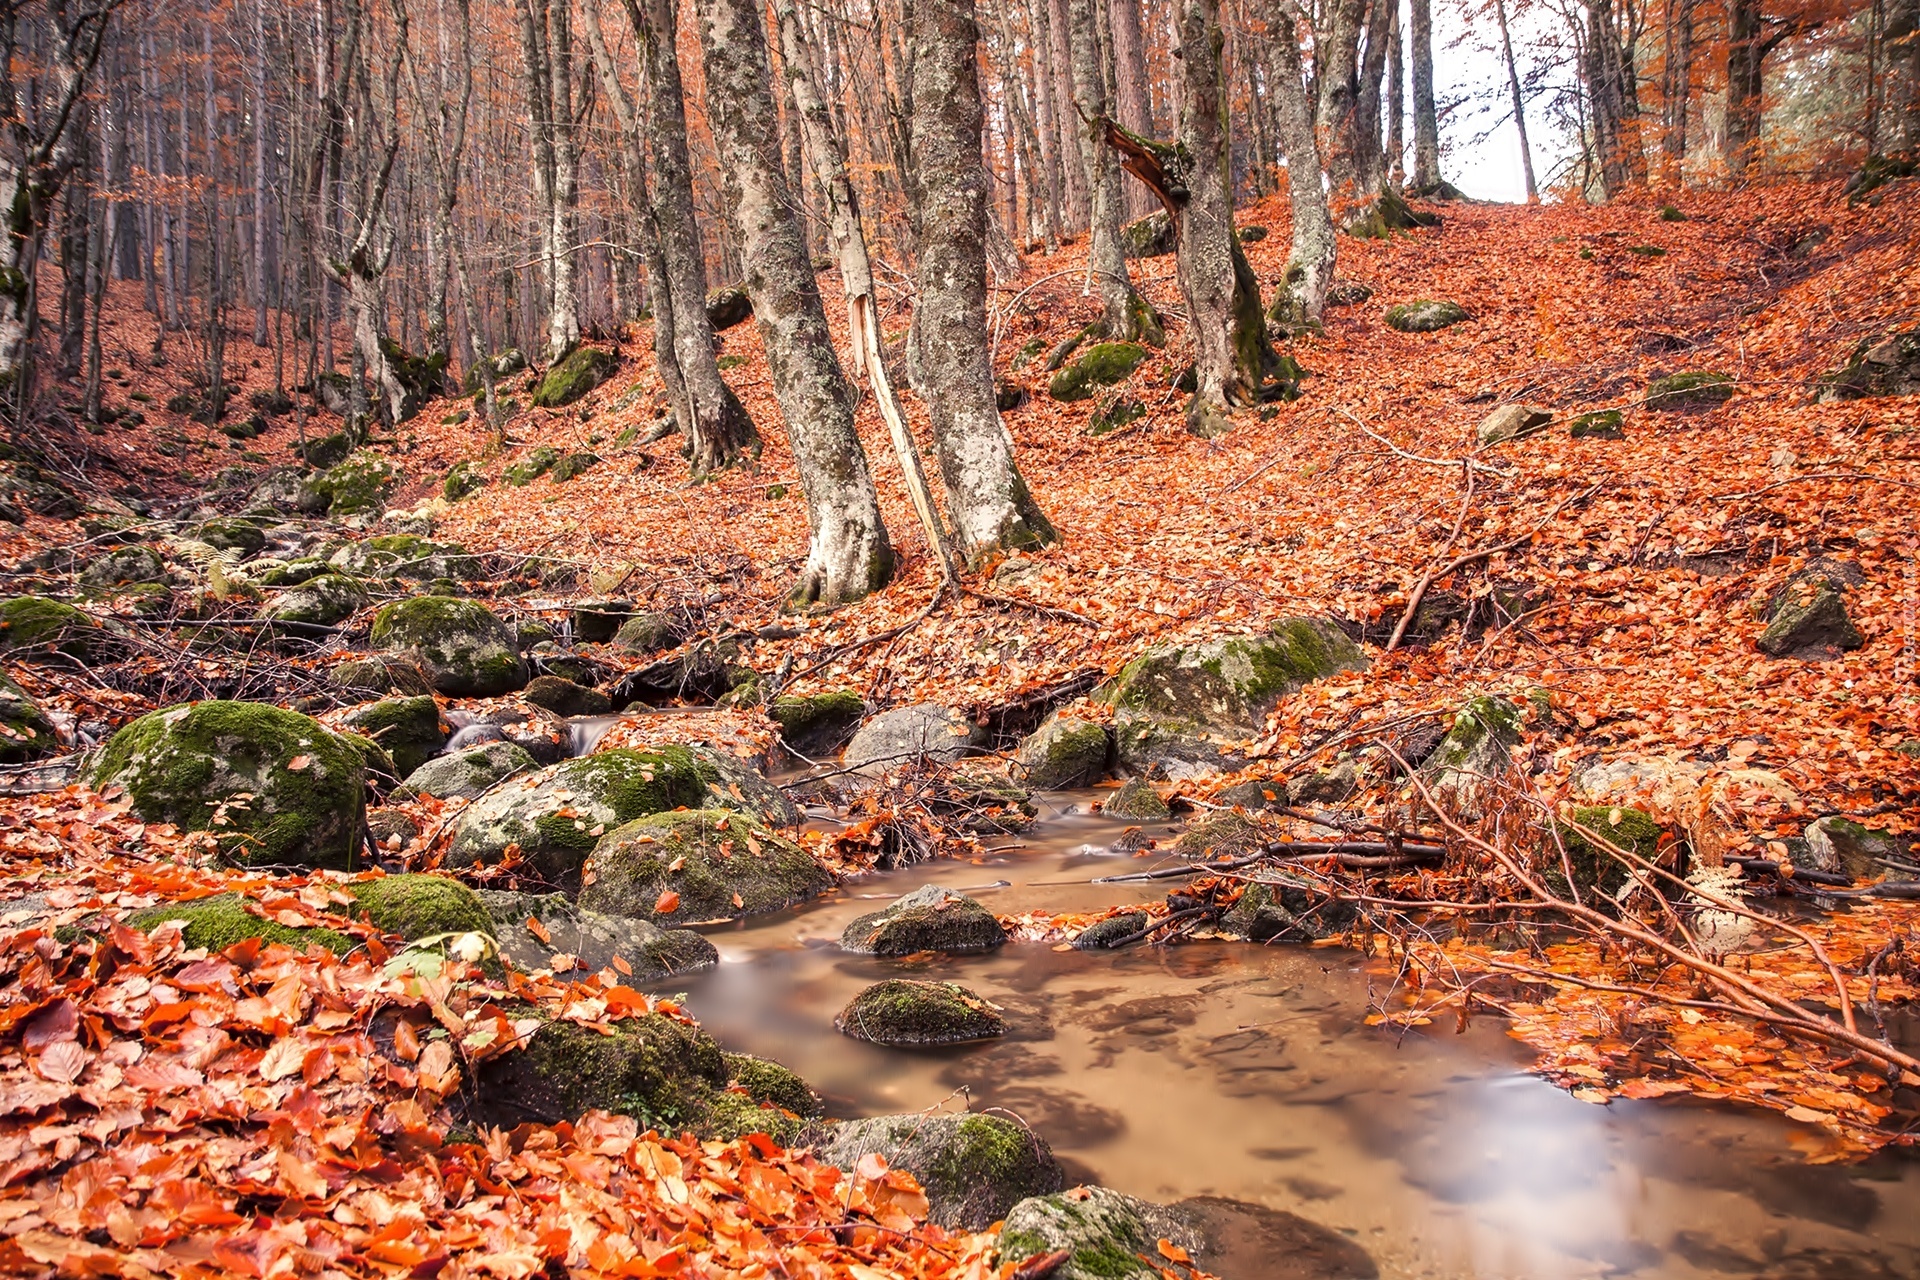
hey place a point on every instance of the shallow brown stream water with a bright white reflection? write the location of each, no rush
(1230, 1070)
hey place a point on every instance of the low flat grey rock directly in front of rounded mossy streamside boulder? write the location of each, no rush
(590, 937)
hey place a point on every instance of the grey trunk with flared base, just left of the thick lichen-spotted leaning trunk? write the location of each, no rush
(719, 429)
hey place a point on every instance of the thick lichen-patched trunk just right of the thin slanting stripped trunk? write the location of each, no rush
(990, 502)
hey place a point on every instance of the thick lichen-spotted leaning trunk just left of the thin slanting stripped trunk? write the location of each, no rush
(850, 554)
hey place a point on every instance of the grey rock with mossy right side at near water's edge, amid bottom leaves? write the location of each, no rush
(972, 1168)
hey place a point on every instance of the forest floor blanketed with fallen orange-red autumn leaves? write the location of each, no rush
(1644, 565)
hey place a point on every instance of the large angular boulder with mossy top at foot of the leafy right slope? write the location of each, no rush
(1176, 703)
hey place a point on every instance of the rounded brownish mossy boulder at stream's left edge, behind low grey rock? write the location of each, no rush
(719, 865)
